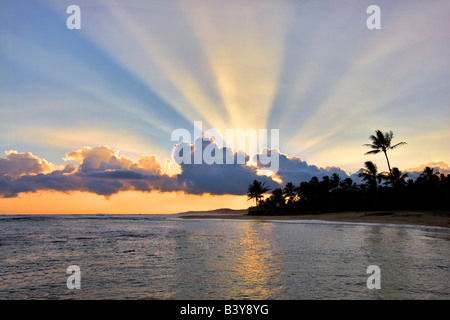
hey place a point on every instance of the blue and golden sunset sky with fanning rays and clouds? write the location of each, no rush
(87, 115)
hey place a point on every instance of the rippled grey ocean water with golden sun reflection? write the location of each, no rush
(165, 257)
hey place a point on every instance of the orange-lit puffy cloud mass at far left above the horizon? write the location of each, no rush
(101, 170)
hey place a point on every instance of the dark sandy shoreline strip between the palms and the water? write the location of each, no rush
(402, 218)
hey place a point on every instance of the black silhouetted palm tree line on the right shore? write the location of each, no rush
(391, 190)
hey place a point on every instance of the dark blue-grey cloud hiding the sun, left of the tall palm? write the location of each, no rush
(234, 178)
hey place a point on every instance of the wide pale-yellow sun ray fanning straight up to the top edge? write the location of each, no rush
(244, 53)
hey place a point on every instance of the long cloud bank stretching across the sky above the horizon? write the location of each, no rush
(103, 171)
